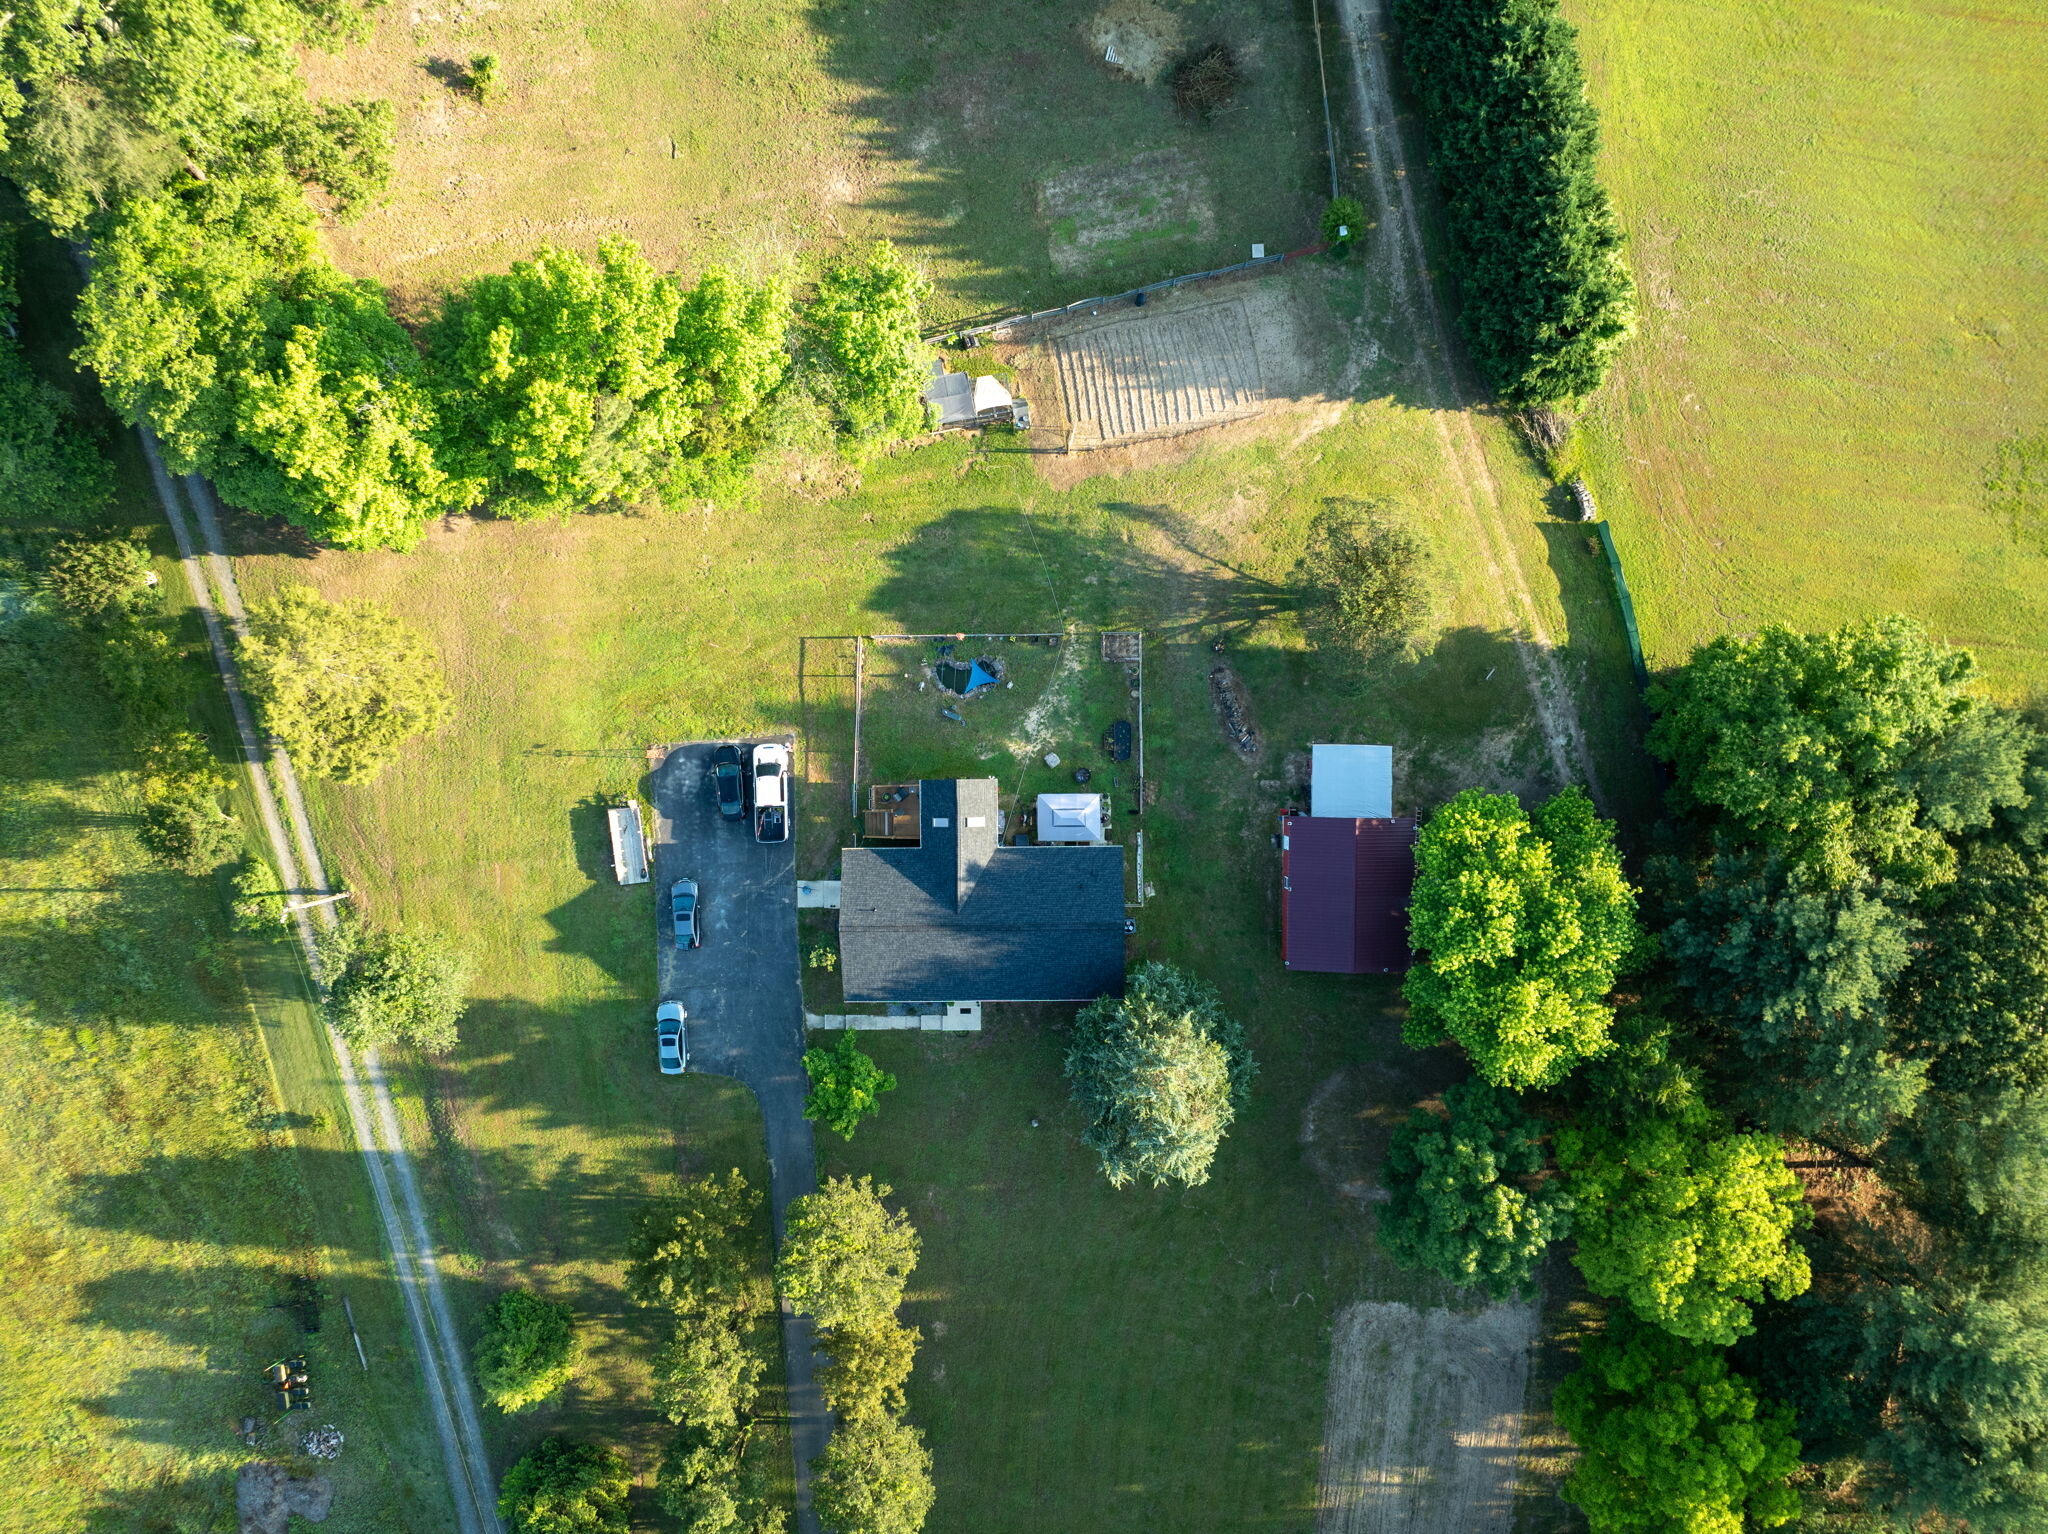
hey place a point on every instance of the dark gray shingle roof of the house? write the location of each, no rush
(962, 919)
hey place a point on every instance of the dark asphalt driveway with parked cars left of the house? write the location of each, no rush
(744, 1003)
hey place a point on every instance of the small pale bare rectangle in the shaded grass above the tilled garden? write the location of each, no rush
(1107, 214)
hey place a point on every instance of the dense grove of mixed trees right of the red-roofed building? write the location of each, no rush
(1840, 949)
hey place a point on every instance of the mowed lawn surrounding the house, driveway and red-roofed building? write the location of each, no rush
(1089, 1353)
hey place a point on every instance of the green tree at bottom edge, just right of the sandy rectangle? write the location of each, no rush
(1672, 1441)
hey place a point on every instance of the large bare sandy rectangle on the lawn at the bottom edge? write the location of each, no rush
(1424, 1422)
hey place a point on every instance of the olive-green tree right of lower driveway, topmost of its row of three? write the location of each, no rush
(847, 1254)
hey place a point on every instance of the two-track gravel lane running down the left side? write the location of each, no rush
(372, 1115)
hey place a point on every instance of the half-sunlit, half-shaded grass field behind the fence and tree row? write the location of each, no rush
(996, 144)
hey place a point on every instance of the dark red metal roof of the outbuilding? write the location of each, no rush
(1345, 894)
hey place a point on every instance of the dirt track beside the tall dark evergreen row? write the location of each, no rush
(1453, 396)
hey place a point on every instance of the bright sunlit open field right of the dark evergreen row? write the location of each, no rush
(1840, 226)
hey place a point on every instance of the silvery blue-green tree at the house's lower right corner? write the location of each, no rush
(1160, 1072)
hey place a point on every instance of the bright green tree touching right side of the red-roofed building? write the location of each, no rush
(1525, 925)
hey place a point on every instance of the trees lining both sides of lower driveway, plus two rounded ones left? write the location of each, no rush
(845, 1265)
